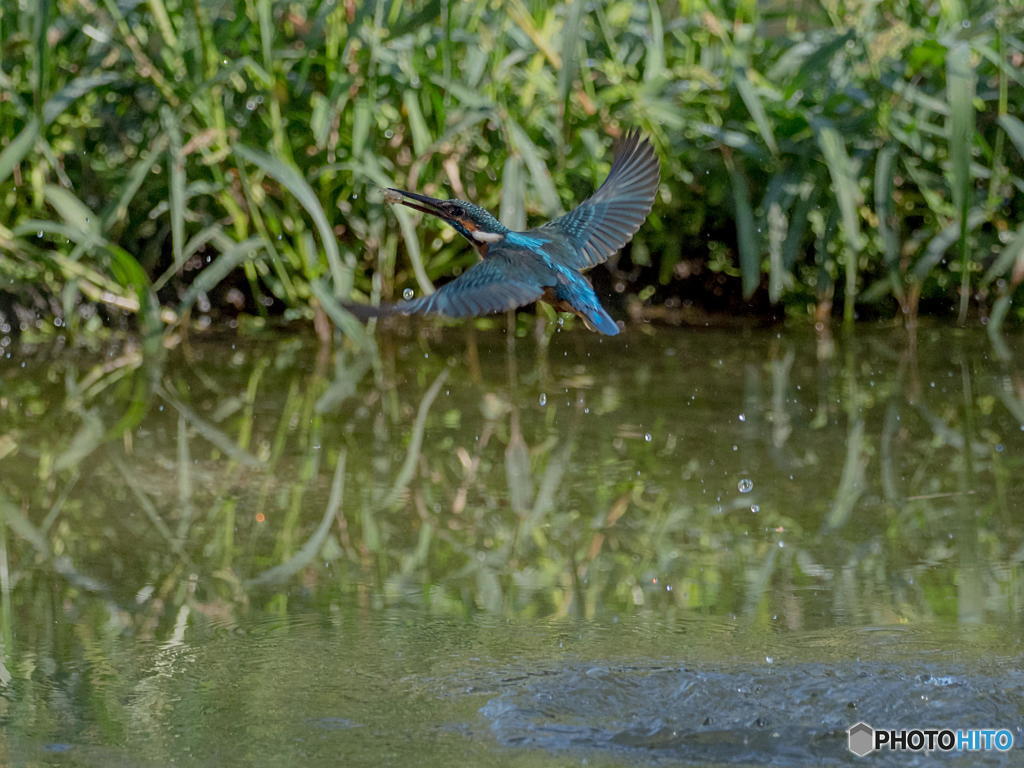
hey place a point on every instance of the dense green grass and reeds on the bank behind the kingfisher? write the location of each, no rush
(170, 160)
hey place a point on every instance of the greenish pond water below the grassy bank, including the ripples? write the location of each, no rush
(463, 549)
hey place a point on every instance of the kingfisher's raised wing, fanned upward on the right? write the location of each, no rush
(609, 220)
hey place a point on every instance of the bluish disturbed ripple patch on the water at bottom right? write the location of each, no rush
(775, 715)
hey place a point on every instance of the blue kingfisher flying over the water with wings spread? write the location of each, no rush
(544, 264)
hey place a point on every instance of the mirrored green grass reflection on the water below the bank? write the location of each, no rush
(233, 493)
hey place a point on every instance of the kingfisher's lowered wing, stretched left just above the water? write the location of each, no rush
(501, 282)
